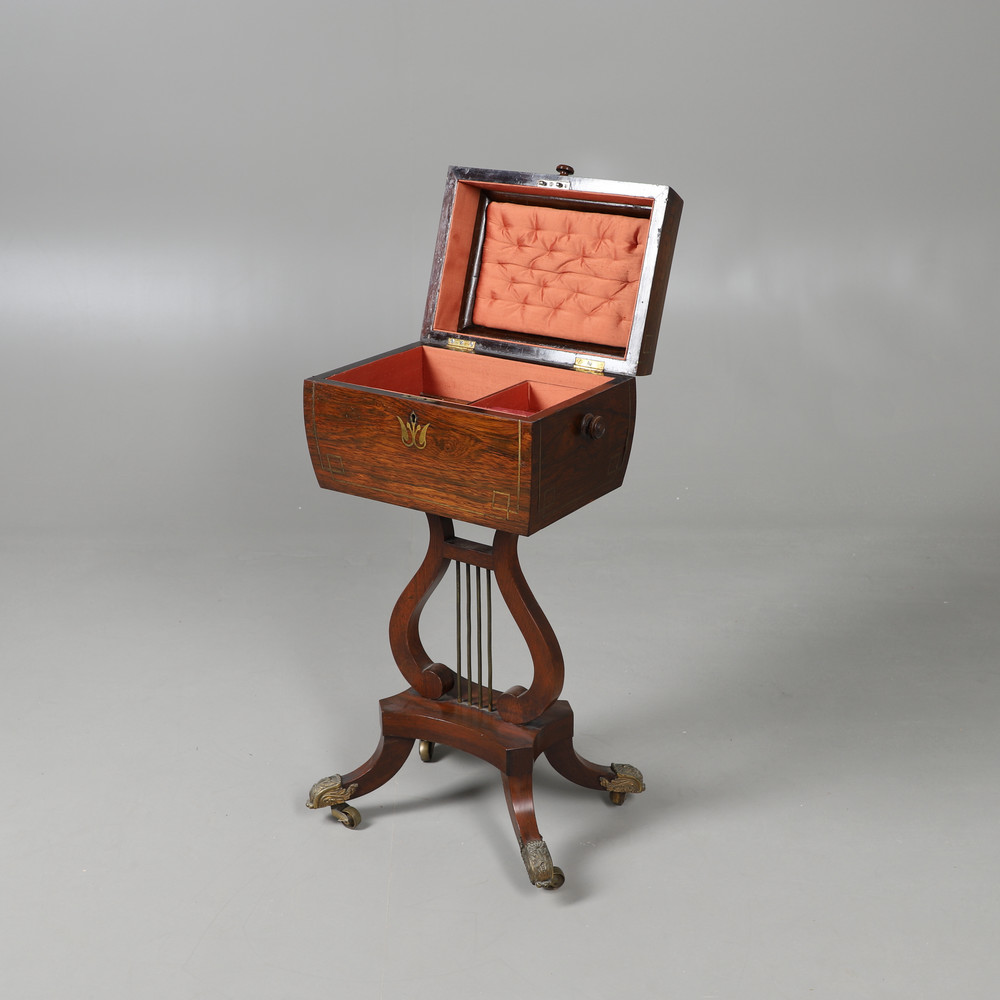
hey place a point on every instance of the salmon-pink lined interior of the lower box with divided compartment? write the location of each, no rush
(474, 379)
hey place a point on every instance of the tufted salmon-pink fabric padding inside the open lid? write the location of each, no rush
(560, 273)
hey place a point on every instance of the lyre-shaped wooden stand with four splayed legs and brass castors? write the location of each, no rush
(509, 730)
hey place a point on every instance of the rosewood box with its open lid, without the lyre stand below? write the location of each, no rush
(517, 404)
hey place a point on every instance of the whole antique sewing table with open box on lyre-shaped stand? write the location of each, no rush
(514, 409)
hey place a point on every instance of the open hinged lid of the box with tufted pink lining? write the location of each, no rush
(552, 268)
